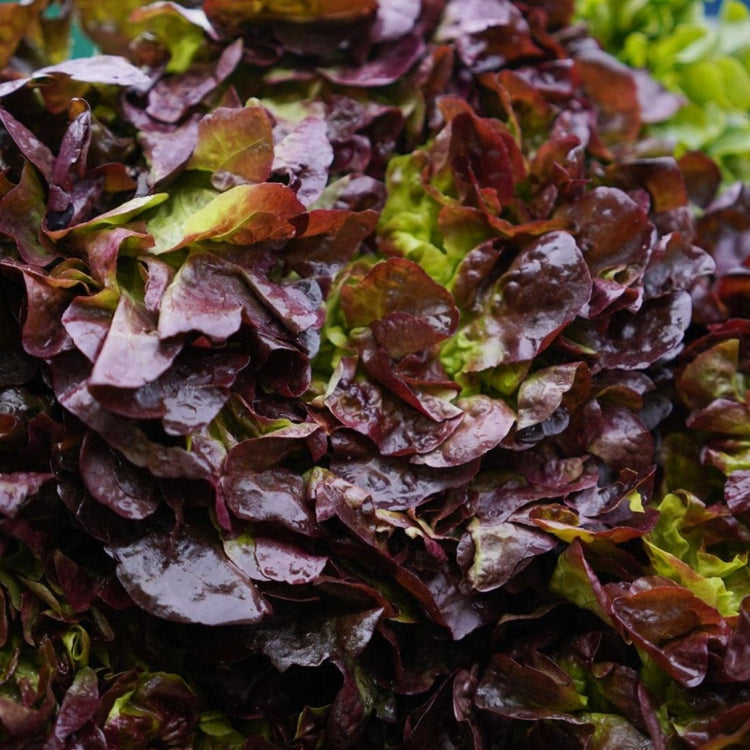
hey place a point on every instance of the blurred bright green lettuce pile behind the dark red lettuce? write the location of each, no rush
(706, 60)
